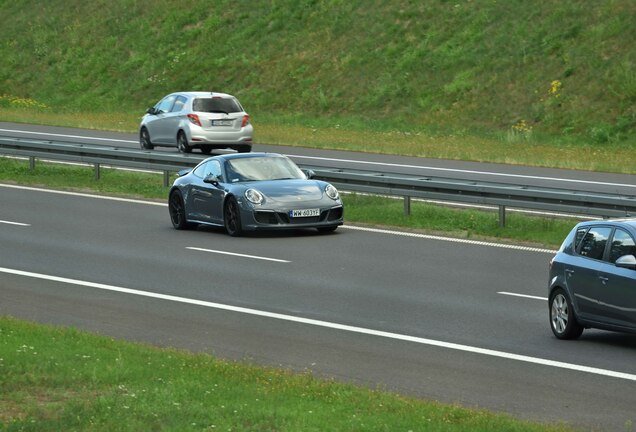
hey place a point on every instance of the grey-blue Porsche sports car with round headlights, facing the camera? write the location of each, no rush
(253, 191)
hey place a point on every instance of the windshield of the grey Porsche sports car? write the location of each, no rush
(262, 168)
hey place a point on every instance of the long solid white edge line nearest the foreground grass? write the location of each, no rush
(330, 325)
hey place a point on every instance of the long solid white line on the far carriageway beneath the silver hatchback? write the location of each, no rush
(370, 163)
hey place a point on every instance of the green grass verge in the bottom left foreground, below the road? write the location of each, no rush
(55, 379)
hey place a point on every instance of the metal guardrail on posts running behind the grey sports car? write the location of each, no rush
(407, 186)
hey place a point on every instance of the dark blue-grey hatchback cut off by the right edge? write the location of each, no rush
(593, 279)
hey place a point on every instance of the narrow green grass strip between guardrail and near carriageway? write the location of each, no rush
(369, 210)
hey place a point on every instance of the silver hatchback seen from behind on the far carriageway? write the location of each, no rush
(203, 120)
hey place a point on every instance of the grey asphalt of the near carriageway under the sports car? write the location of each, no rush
(417, 315)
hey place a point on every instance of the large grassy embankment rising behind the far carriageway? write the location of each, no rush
(524, 82)
